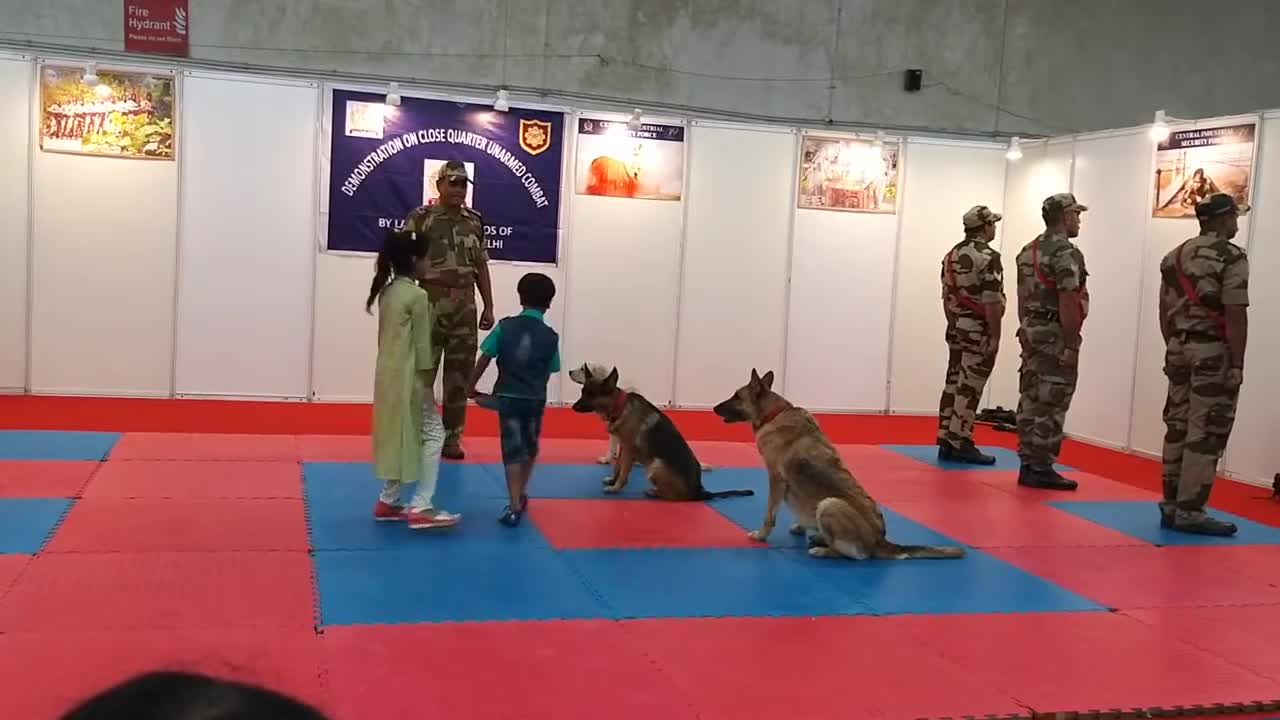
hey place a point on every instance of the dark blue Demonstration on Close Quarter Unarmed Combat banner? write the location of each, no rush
(385, 162)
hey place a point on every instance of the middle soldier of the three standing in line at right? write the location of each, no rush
(1053, 304)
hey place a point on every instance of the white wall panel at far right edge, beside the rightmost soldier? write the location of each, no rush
(1254, 453)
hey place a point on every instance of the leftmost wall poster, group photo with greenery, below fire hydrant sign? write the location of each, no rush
(122, 115)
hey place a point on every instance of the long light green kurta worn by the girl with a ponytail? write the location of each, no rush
(404, 353)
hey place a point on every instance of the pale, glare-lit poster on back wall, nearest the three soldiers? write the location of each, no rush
(856, 176)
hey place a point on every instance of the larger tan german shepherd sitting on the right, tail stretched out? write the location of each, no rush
(806, 471)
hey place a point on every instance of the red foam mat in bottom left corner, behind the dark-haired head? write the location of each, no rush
(47, 675)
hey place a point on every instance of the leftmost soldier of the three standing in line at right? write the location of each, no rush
(973, 300)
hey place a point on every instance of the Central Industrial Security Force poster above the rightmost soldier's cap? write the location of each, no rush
(1194, 165)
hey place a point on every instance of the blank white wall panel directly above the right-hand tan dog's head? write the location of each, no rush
(733, 304)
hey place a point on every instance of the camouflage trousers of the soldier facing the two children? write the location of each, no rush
(455, 343)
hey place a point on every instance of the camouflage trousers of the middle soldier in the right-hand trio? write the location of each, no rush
(1046, 386)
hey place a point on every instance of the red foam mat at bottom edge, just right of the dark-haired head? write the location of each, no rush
(497, 671)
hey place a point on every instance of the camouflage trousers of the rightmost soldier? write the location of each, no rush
(1200, 413)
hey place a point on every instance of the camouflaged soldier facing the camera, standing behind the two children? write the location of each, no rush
(459, 265)
